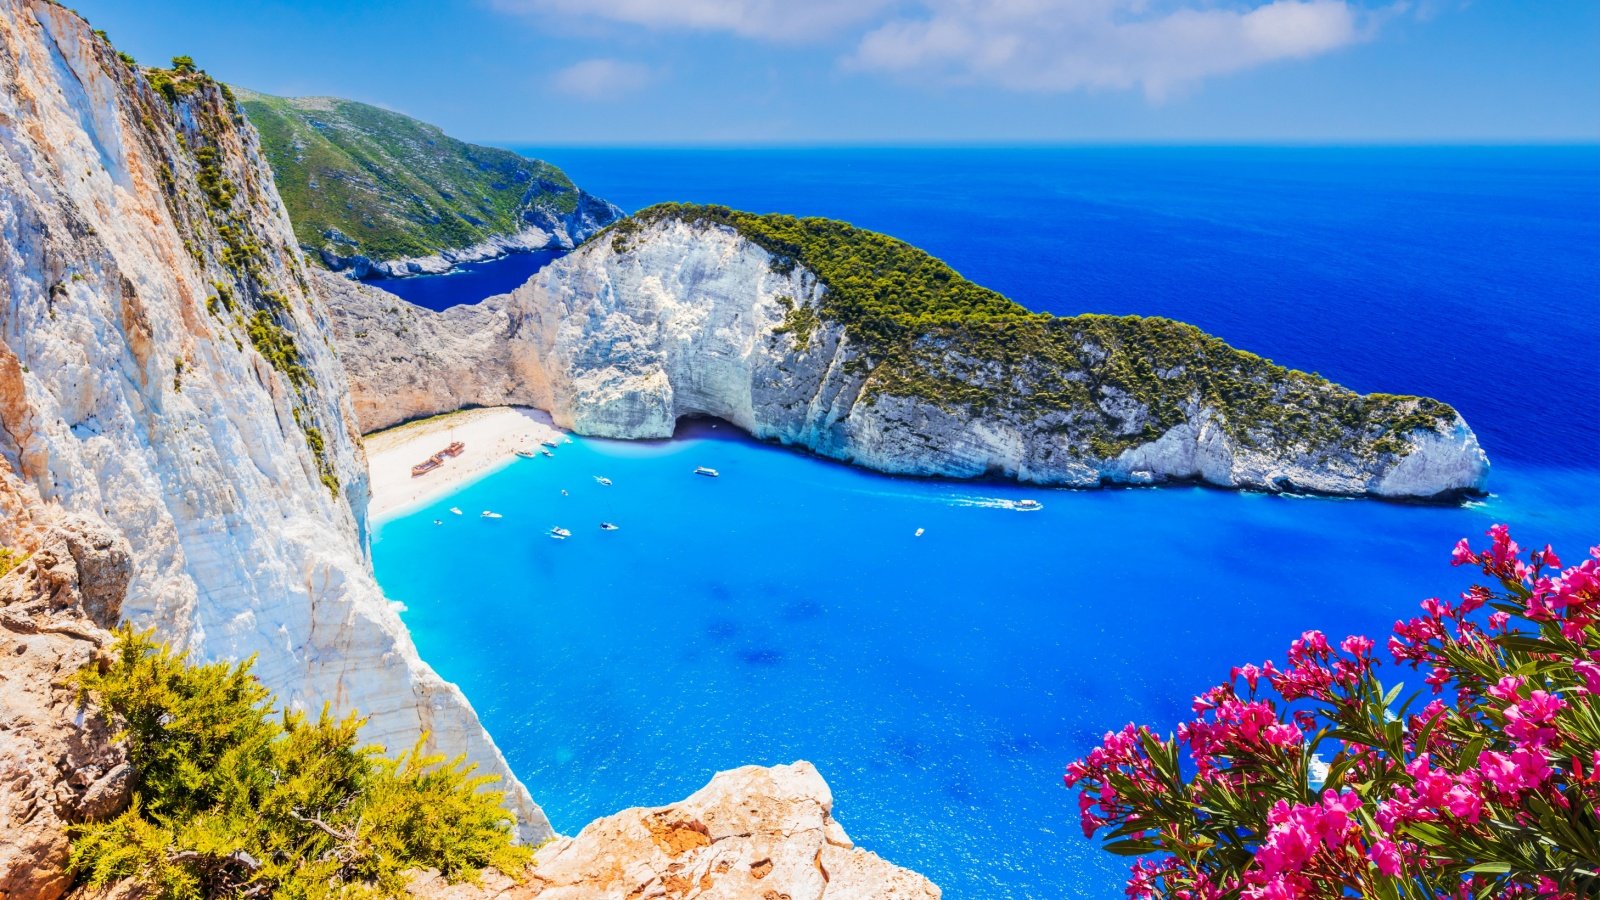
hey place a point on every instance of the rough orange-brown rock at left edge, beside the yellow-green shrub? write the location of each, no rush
(58, 765)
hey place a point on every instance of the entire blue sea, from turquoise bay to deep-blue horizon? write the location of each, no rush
(788, 611)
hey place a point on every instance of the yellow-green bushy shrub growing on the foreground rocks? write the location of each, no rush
(234, 798)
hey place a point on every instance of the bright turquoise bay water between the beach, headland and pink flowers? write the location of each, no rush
(786, 611)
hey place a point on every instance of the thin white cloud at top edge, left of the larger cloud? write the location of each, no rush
(767, 20)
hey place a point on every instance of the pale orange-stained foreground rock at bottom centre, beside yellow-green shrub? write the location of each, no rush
(750, 835)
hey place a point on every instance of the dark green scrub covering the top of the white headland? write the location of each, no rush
(930, 334)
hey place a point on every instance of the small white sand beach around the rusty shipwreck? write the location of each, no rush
(490, 436)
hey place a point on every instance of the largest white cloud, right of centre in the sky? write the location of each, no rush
(1063, 46)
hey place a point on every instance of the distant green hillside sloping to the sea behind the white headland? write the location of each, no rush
(394, 187)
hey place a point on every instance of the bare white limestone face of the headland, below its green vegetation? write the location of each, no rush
(689, 321)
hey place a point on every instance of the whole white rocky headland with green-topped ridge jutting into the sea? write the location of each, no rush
(679, 316)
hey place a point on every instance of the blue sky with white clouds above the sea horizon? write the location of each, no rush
(750, 73)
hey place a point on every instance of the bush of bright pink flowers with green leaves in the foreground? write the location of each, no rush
(1337, 785)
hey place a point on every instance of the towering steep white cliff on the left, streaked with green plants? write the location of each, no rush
(167, 369)
